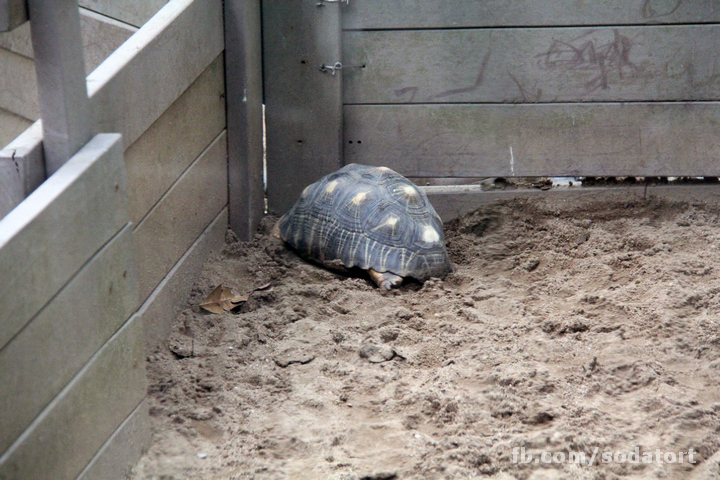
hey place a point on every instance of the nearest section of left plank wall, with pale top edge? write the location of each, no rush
(71, 349)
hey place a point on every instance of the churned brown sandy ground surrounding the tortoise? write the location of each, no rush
(584, 325)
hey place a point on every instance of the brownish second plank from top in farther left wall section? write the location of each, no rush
(161, 154)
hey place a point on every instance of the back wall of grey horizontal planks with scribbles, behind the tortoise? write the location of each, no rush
(553, 88)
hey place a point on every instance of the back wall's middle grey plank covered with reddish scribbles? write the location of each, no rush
(658, 63)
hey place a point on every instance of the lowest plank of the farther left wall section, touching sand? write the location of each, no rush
(171, 294)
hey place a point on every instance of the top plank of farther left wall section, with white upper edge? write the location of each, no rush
(141, 79)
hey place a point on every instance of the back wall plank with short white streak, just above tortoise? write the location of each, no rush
(645, 139)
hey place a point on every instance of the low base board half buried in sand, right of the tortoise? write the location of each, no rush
(452, 205)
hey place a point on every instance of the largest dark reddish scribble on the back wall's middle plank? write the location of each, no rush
(599, 59)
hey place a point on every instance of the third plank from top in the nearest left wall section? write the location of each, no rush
(74, 426)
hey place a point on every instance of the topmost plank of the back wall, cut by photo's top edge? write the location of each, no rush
(462, 13)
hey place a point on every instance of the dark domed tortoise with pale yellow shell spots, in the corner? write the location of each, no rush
(371, 218)
